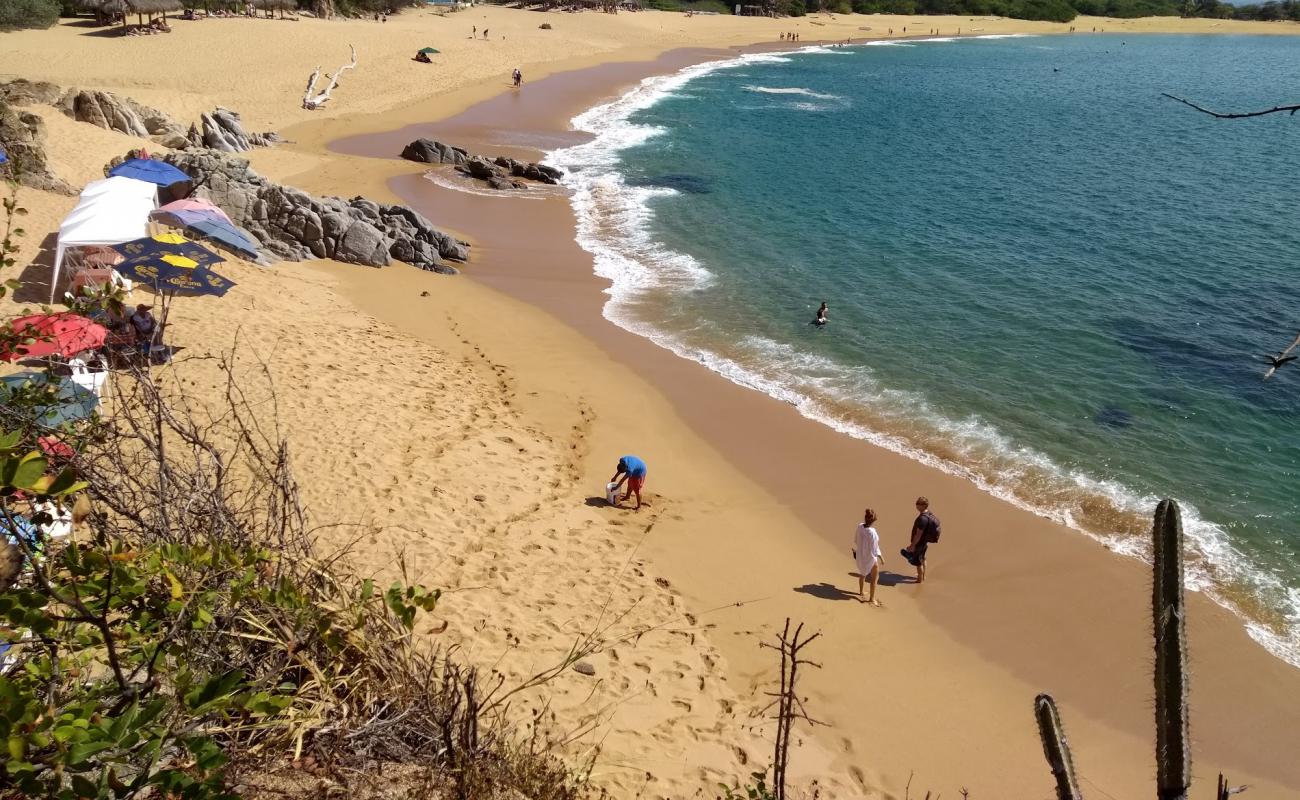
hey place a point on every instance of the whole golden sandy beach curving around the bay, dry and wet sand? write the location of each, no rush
(466, 426)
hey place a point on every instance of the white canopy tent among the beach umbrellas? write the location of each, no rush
(110, 213)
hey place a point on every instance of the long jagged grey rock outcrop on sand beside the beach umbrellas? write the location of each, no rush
(294, 226)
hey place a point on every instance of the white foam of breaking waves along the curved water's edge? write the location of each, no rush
(614, 227)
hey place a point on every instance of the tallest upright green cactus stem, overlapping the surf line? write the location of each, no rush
(1173, 745)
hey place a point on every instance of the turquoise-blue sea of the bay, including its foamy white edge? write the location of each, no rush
(1042, 276)
